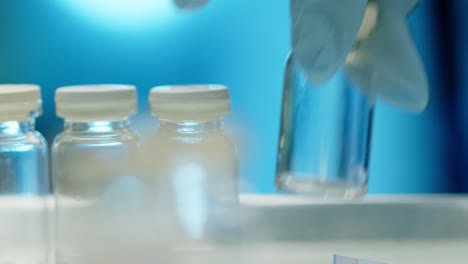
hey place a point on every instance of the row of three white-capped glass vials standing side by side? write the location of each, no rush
(112, 193)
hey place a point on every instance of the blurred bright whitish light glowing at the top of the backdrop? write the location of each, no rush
(123, 14)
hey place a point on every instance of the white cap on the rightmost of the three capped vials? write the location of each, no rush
(190, 102)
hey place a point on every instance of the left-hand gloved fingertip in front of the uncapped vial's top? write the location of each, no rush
(323, 32)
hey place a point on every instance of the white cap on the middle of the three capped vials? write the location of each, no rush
(103, 102)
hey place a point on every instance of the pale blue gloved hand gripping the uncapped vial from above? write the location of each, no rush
(324, 32)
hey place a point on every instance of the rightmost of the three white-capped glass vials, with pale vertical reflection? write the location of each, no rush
(196, 168)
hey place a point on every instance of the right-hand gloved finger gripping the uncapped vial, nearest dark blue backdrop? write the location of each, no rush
(399, 73)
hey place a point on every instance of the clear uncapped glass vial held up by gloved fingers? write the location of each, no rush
(326, 128)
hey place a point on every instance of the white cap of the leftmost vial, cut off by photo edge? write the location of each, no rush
(20, 101)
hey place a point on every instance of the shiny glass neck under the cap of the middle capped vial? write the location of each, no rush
(74, 126)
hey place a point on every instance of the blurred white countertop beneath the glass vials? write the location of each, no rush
(295, 229)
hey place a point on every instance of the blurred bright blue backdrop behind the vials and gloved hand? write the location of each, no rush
(242, 44)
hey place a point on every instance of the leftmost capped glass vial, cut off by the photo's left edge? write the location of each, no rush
(24, 178)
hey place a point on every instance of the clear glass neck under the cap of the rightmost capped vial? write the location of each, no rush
(191, 126)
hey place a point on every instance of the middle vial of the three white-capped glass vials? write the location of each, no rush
(99, 199)
